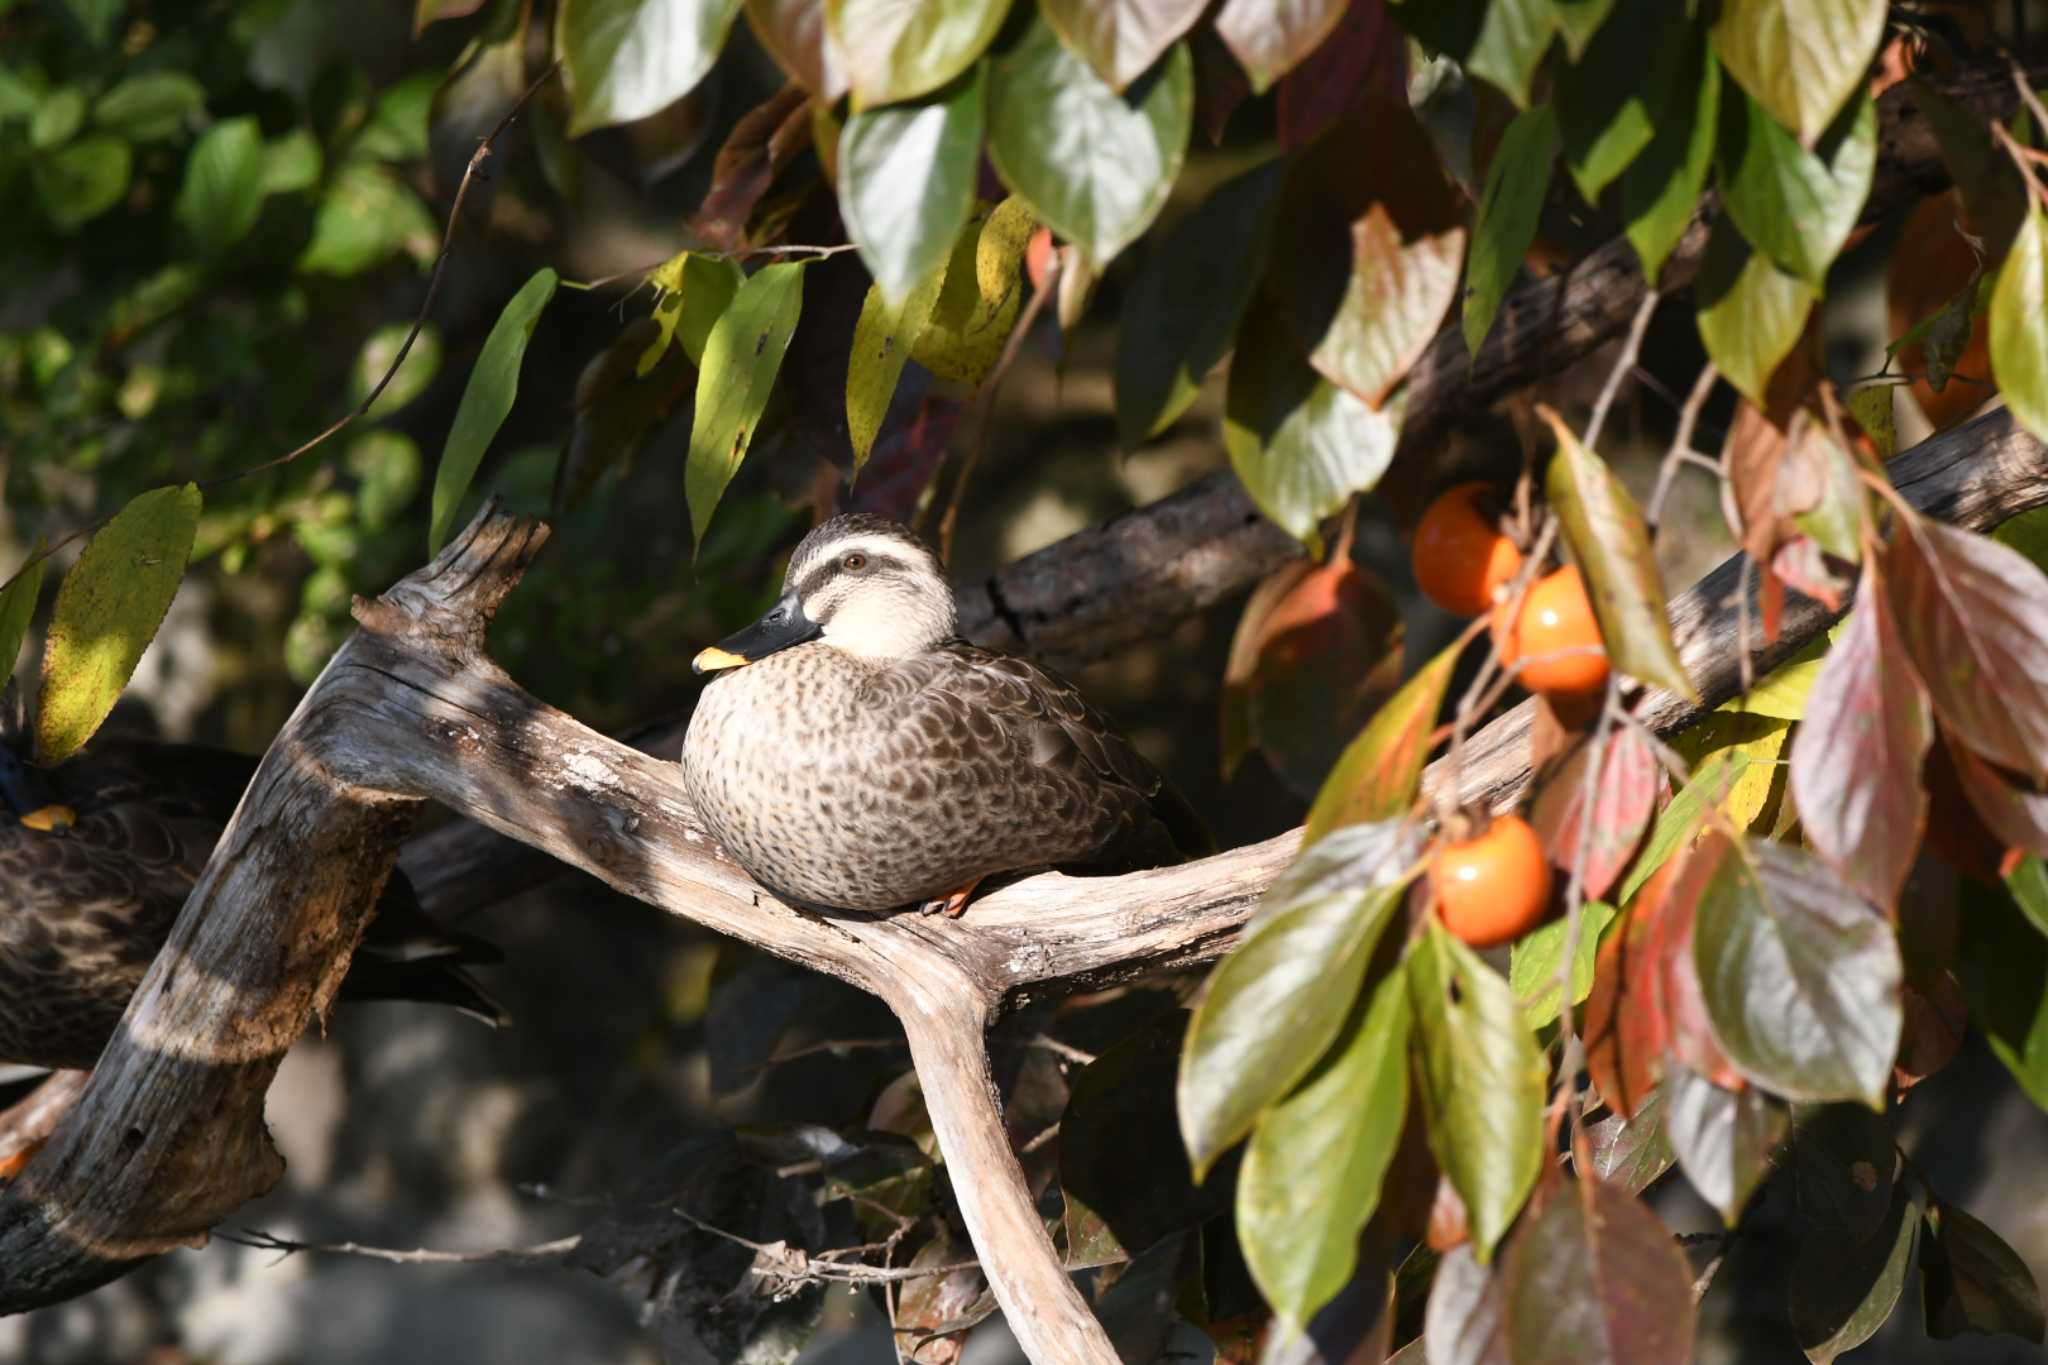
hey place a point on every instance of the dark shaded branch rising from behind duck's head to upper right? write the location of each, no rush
(1146, 572)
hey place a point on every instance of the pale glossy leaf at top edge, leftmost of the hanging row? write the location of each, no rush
(626, 60)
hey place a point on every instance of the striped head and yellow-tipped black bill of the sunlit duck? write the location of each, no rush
(861, 584)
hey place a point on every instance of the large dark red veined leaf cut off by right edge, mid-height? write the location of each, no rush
(1975, 617)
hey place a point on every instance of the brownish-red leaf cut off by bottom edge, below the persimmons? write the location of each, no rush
(1594, 1278)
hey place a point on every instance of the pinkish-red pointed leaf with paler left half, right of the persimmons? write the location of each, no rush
(1857, 758)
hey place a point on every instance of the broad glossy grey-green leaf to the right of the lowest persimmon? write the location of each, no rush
(1799, 975)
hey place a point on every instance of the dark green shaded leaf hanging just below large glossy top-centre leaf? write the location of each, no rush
(1187, 302)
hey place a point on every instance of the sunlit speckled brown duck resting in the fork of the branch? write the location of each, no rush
(851, 752)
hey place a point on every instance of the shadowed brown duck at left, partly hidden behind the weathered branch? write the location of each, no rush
(97, 858)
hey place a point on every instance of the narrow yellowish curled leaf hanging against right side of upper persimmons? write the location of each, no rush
(1613, 549)
